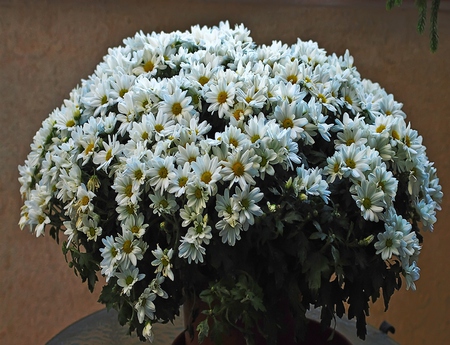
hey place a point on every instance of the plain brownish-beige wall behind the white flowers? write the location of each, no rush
(46, 47)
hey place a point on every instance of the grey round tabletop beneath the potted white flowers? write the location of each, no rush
(102, 328)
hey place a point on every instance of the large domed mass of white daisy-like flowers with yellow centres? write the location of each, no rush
(200, 154)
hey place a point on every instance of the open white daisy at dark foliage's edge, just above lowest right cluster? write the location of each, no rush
(369, 199)
